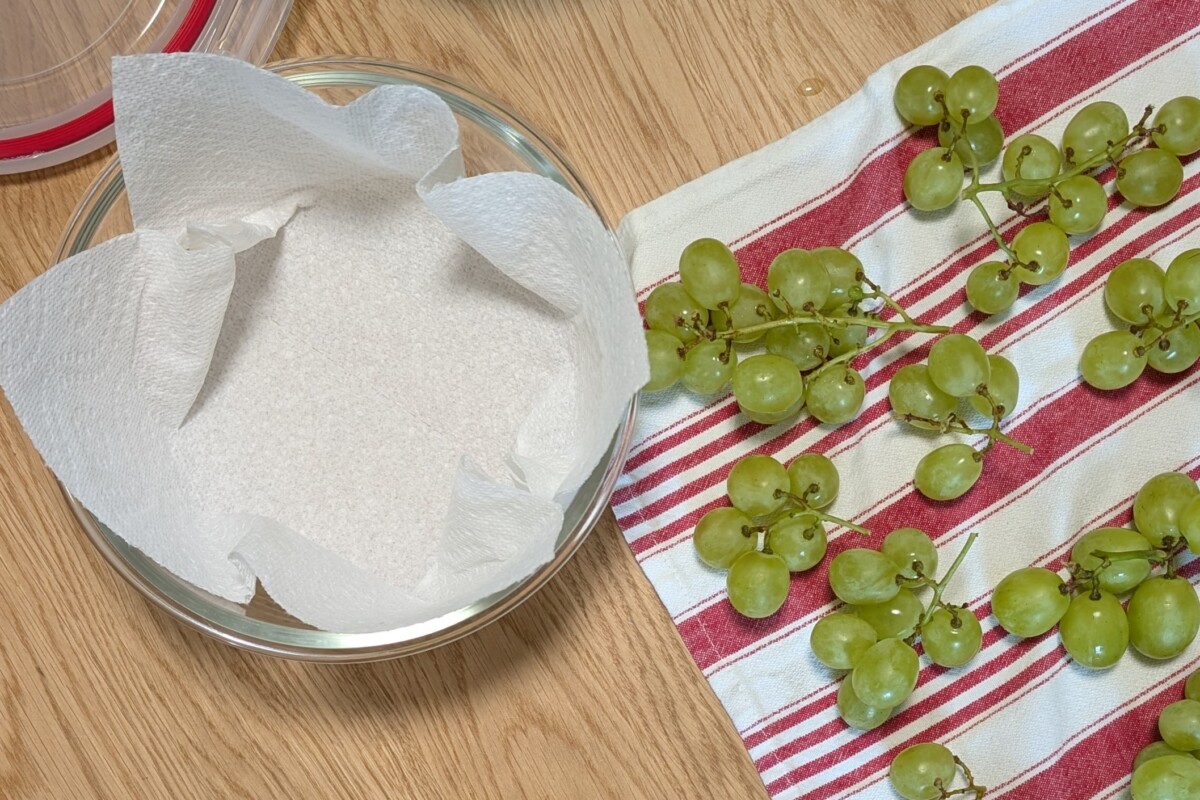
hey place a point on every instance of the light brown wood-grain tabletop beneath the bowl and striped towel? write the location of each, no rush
(585, 691)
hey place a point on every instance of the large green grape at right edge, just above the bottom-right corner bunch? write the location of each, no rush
(1165, 617)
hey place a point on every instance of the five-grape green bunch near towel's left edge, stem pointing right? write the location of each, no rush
(775, 528)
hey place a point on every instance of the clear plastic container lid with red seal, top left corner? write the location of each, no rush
(56, 63)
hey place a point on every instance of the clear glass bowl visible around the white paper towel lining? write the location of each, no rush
(493, 140)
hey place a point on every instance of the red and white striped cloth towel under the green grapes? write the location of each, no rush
(1029, 721)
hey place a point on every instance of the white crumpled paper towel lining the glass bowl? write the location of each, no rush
(325, 359)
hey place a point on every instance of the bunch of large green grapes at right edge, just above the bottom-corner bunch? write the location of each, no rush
(1163, 613)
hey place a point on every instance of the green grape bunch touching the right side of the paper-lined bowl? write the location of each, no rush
(799, 336)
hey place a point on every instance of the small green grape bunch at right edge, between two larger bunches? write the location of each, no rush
(1162, 310)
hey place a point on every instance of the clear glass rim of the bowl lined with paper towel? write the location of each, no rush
(107, 187)
